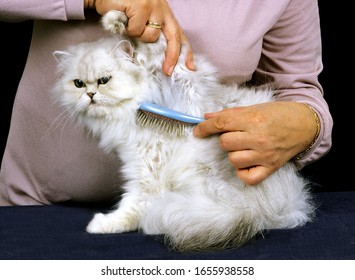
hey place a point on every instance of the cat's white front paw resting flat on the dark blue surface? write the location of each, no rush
(110, 223)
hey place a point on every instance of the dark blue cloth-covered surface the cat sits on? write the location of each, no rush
(58, 232)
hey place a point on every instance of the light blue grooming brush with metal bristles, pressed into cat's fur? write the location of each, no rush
(164, 119)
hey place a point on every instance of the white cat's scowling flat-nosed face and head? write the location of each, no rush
(96, 79)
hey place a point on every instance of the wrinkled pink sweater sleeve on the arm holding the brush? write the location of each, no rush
(291, 62)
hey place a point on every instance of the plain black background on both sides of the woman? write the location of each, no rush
(331, 173)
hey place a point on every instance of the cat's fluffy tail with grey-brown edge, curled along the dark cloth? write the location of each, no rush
(201, 225)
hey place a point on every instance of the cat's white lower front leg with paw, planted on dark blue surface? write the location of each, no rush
(125, 218)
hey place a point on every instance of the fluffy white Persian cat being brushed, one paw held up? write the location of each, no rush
(178, 186)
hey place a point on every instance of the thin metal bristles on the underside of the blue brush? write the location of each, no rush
(161, 123)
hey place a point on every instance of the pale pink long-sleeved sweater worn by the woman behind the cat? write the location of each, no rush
(49, 160)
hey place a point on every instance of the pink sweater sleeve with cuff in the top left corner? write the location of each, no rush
(19, 10)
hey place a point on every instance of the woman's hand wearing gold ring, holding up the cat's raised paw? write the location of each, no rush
(139, 12)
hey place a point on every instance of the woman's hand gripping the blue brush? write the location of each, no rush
(261, 138)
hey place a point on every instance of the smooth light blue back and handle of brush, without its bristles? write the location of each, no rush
(166, 112)
